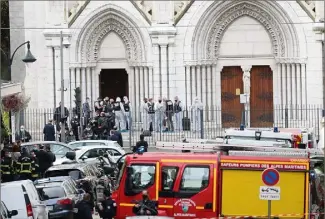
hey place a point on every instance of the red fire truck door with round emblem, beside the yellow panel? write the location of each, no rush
(195, 189)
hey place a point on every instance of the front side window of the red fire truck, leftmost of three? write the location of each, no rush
(140, 176)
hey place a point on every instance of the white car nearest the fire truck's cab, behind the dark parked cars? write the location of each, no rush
(90, 153)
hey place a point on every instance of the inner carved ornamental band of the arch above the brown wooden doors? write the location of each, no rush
(232, 14)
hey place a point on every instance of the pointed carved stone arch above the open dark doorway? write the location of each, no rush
(108, 21)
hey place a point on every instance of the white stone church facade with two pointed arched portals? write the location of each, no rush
(270, 51)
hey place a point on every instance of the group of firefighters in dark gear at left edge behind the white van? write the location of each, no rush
(21, 164)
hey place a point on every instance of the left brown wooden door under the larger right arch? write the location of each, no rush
(231, 108)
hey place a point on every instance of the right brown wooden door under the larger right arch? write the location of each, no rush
(261, 97)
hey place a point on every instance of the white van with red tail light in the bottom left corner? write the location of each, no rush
(23, 197)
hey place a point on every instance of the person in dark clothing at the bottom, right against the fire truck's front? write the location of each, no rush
(107, 207)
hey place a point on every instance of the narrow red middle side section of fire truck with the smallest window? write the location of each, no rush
(168, 175)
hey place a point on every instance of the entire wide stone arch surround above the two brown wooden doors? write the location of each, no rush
(218, 16)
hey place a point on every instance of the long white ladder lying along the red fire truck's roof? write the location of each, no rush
(239, 150)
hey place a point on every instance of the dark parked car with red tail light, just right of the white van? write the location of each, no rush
(60, 195)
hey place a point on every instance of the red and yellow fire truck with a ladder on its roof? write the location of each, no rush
(225, 182)
